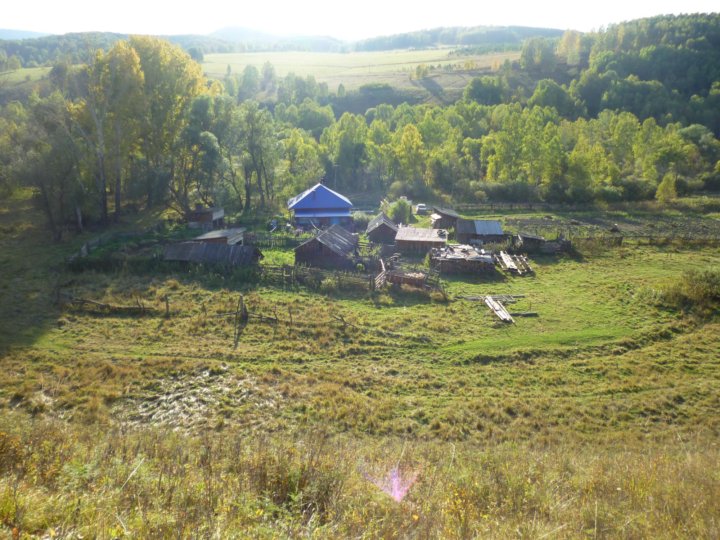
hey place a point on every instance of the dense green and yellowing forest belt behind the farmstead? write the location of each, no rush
(629, 113)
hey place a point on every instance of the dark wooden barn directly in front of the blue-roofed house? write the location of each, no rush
(332, 248)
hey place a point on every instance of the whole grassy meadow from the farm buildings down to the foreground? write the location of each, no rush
(597, 416)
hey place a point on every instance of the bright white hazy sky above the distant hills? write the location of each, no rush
(344, 20)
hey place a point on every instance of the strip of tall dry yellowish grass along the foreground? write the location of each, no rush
(67, 481)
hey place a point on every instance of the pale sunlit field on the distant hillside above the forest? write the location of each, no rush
(396, 68)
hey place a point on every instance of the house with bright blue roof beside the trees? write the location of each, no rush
(321, 207)
